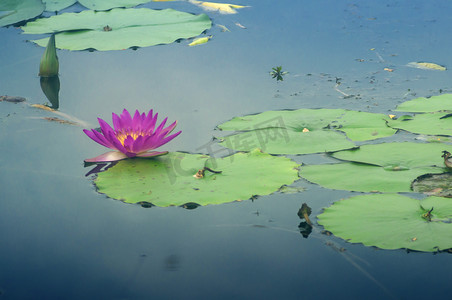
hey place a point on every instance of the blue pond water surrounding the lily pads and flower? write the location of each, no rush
(60, 239)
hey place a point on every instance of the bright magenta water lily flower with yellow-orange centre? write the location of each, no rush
(131, 137)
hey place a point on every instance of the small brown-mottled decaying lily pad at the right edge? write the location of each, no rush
(434, 184)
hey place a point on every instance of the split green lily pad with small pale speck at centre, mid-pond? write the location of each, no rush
(304, 131)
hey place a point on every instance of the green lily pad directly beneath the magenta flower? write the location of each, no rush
(168, 180)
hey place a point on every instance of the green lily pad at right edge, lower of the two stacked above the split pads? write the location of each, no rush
(439, 123)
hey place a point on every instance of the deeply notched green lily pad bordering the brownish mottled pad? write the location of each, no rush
(388, 167)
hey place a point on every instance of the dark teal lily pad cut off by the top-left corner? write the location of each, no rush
(14, 11)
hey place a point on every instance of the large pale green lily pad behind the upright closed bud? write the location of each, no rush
(118, 28)
